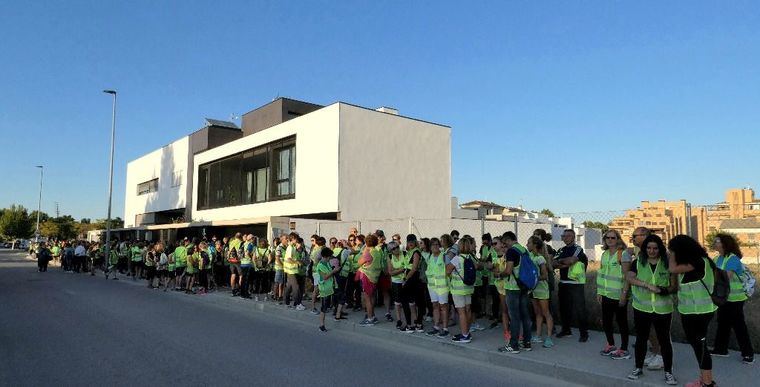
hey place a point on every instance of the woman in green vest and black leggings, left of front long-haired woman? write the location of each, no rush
(612, 293)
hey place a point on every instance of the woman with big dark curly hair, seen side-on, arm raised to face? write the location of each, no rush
(696, 281)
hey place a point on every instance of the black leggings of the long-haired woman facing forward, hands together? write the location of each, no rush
(661, 322)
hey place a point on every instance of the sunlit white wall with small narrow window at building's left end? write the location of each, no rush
(162, 164)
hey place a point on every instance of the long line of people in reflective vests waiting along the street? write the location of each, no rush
(452, 281)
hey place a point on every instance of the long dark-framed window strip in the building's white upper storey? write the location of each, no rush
(257, 175)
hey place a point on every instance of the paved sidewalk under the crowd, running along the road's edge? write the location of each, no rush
(569, 360)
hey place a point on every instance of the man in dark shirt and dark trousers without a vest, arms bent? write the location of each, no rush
(572, 300)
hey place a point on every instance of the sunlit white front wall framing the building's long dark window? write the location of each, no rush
(316, 168)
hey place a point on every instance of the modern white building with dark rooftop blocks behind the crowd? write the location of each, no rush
(290, 159)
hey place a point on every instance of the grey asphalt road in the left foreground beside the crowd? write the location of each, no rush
(69, 329)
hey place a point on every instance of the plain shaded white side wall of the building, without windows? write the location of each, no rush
(392, 166)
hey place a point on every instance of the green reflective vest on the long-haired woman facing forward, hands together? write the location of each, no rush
(645, 300)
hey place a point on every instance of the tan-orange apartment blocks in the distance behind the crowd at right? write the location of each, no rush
(739, 214)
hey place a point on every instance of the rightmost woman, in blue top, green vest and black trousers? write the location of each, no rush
(731, 314)
